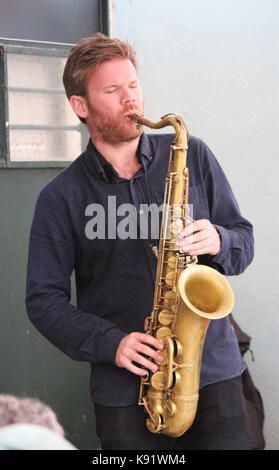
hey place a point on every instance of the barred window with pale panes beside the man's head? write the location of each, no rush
(38, 126)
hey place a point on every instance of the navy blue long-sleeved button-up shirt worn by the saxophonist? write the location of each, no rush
(115, 277)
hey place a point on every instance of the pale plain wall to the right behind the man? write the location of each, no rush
(216, 63)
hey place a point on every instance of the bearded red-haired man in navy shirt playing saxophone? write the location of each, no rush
(115, 273)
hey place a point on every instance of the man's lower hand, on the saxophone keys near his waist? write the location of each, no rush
(132, 348)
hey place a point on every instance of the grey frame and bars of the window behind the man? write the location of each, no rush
(40, 48)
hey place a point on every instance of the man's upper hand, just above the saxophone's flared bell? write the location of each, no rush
(200, 237)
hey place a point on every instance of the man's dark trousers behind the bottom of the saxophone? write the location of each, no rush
(221, 423)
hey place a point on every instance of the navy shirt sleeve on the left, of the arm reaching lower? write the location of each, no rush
(82, 336)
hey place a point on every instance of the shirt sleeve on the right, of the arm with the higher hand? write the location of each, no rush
(236, 232)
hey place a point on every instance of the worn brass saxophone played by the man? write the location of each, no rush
(187, 296)
